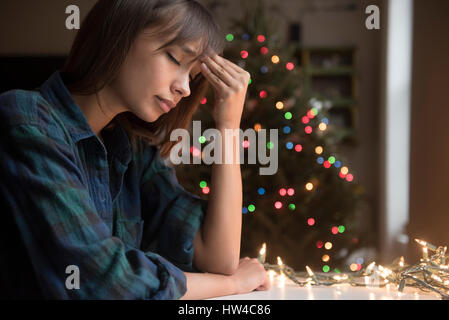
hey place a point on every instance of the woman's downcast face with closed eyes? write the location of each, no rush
(148, 75)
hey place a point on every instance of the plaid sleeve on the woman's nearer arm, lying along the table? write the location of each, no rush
(57, 221)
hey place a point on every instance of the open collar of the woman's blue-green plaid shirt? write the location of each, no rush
(116, 138)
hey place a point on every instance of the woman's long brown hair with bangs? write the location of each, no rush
(105, 38)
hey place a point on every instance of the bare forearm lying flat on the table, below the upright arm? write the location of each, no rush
(208, 285)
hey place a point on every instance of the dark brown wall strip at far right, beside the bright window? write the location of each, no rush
(429, 141)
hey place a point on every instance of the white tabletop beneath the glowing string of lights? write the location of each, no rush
(288, 290)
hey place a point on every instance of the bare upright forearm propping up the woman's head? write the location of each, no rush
(221, 230)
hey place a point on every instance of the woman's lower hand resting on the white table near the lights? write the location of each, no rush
(250, 275)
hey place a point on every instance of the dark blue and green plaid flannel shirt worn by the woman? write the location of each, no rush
(116, 213)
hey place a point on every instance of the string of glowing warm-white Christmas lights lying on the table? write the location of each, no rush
(430, 274)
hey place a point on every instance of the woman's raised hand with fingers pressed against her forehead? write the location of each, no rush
(230, 83)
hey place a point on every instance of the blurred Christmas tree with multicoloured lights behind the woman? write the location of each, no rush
(309, 211)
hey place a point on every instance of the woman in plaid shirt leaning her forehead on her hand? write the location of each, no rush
(92, 210)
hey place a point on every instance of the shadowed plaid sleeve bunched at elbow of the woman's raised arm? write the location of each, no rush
(175, 214)
